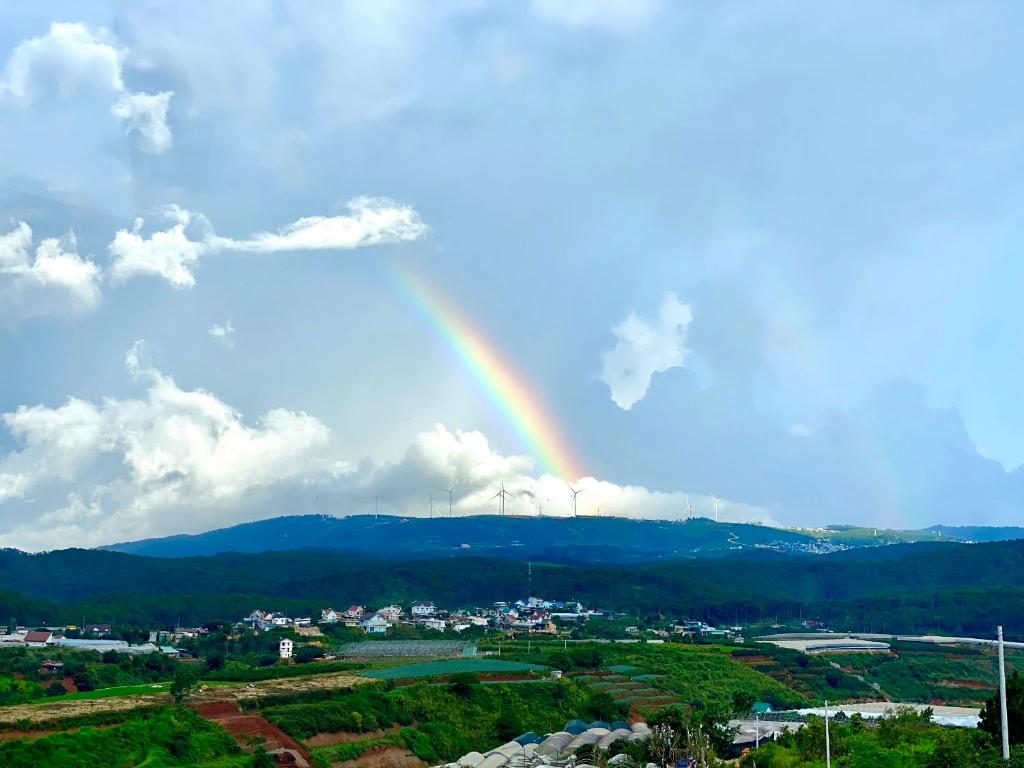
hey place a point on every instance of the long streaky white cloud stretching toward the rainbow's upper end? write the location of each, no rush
(174, 253)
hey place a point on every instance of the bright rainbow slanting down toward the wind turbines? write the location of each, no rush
(522, 407)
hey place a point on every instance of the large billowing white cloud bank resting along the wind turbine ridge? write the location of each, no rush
(177, 460)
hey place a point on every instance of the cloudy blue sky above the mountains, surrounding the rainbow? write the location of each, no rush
(762, 250)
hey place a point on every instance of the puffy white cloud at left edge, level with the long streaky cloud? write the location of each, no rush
(51, 280)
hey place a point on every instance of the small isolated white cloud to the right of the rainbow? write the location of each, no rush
(645, 350)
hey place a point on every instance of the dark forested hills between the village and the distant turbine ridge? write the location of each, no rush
(967, 587)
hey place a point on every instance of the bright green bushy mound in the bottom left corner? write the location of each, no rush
(170, 737)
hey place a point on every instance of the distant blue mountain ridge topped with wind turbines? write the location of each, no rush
(613, 540)
